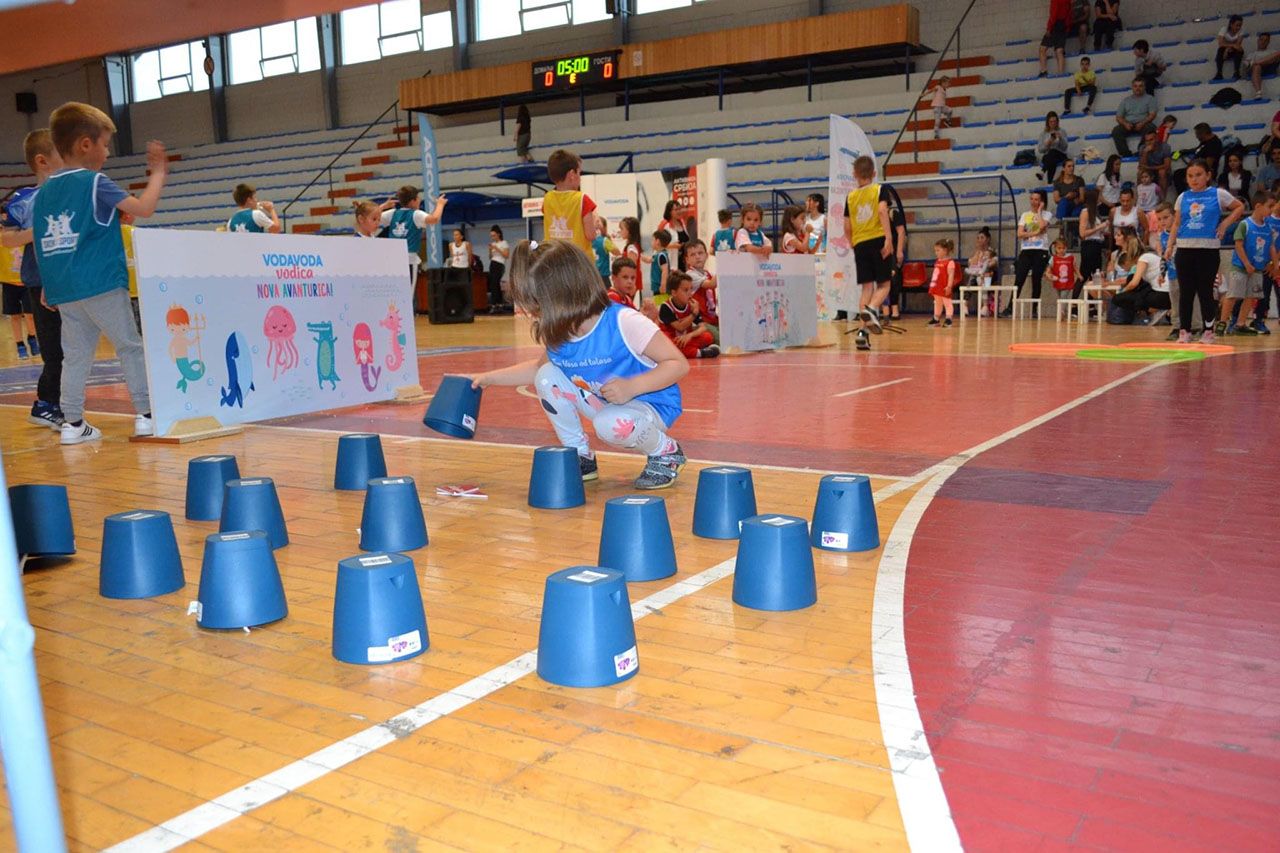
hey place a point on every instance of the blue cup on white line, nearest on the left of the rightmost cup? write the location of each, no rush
(775, 564)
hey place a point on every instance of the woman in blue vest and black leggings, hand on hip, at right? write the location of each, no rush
(1203, 216)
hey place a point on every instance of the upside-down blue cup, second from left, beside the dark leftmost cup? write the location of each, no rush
(140, 556)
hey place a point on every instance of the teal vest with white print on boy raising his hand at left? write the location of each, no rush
(79, 257)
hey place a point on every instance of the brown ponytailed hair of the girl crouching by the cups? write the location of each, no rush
(559, 286)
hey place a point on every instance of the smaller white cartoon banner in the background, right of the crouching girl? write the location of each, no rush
(766, 304)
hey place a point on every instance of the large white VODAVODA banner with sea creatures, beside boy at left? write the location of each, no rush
(252, 327)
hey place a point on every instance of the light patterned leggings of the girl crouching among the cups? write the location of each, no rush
(632, 426)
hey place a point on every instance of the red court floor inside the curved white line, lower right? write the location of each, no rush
(1092, 622)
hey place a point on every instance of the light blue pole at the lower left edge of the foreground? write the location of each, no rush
(24, 740)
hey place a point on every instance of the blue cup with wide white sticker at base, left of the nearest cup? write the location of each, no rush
(378, 614)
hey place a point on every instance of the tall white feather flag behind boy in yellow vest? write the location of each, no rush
(848, 144)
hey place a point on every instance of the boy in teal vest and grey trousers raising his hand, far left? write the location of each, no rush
(81, 257)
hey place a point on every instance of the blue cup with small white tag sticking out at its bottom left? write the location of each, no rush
(240, 583)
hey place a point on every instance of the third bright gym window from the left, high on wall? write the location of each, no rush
(390, 29)
